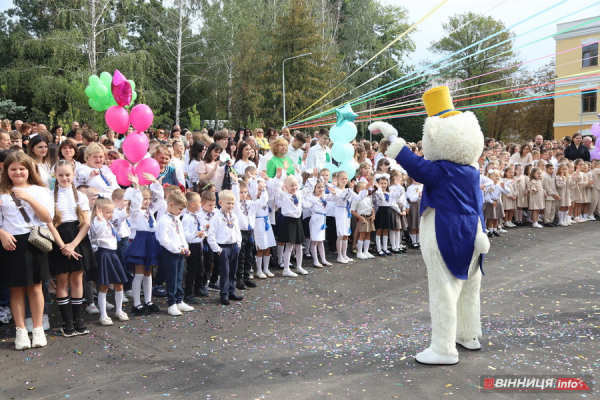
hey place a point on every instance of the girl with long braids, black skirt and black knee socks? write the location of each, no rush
(71, 253)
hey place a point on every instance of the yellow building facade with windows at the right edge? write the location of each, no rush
(576, 108)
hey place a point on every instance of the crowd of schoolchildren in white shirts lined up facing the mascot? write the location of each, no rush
(209, 224)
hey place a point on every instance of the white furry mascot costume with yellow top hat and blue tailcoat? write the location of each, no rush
(452, 239)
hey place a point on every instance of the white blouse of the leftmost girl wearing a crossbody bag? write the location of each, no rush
(11, 219)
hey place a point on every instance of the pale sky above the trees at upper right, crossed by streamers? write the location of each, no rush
(508, 11)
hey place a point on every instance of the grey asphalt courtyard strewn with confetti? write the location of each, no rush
(345, 332)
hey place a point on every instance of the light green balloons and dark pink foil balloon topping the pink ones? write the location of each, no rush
(101, 92)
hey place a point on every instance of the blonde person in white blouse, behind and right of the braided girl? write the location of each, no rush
(94, 173)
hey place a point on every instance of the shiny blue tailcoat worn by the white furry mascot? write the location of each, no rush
(453, 191)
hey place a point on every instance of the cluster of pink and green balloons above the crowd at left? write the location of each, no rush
(135, 145)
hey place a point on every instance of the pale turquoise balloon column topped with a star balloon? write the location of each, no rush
(341, 134)
